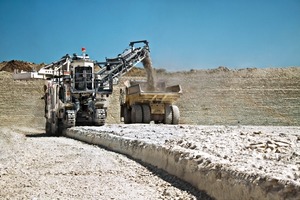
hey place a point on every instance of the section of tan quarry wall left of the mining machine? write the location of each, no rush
(21, 102)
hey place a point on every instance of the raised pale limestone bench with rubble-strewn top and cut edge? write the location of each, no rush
(228, 162)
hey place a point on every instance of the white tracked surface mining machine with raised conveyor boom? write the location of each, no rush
(75, 94)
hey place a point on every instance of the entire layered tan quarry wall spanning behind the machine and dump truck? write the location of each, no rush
(210, 97)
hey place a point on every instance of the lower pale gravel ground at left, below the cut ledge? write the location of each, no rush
(36, 166)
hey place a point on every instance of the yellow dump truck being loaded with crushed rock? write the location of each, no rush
(143, 104)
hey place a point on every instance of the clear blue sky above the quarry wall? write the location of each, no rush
(183, 34)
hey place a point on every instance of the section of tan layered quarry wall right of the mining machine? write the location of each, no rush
(232, 97)
